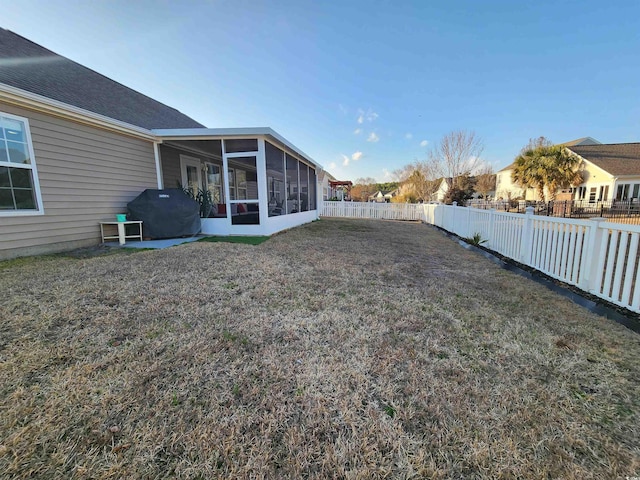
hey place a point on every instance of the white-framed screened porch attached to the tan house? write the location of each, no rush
(258, 182)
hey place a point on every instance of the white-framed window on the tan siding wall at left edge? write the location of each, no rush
(19, 186)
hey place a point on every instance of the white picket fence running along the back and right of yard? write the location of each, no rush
(597, 256)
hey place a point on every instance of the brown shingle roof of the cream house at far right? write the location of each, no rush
(613, 158)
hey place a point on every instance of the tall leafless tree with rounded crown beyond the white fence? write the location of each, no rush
(457, 154)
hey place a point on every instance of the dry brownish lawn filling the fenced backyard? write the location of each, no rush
(342, 349)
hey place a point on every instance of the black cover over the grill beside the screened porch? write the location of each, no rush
(165, 213)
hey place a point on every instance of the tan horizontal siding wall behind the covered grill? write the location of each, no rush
(86, 175)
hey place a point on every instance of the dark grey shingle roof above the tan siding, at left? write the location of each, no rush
(28, 66)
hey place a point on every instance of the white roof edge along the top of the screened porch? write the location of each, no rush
(221, 133)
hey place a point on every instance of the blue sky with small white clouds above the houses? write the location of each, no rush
(365, 87)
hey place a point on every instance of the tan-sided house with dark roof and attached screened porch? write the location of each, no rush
(76, 147)
